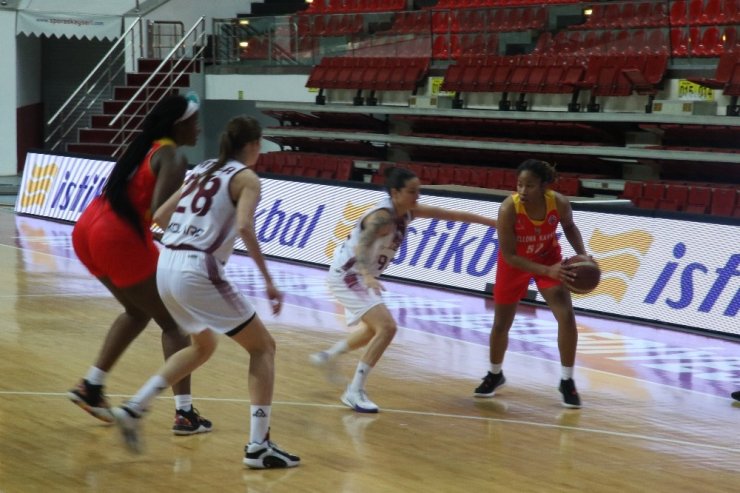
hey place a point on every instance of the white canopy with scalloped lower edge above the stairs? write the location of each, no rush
(101, 19)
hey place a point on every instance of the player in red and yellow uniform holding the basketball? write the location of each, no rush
(529, 248)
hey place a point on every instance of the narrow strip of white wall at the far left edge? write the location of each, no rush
(8, 94)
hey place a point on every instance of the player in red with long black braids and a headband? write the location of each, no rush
(114, 241)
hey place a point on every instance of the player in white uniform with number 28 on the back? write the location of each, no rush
(217, 202)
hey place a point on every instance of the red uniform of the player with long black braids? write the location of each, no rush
(108, 245)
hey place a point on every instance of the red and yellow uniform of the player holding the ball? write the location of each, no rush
(536, 241)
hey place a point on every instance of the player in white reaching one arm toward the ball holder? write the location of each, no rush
(353, 276)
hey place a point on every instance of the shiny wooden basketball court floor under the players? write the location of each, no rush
(642, 427)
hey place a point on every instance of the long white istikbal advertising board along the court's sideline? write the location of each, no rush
(656, 269)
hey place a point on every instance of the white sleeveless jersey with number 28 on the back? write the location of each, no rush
(205, 216)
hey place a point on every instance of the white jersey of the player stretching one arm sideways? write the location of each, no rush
(382, 250)
